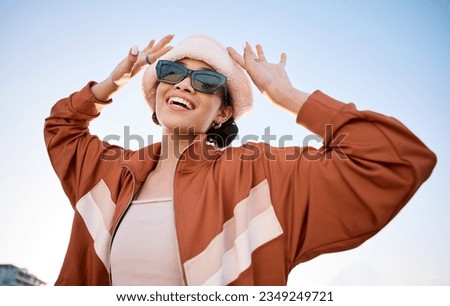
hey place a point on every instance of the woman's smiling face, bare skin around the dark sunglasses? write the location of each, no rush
(200, 109)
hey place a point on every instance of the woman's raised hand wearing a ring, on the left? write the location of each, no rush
(129, 67)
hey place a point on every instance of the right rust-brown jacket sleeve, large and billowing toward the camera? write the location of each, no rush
(340, 195)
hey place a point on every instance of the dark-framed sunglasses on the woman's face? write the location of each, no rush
(206, 81)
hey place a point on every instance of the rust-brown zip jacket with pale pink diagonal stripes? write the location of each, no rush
(245, 215)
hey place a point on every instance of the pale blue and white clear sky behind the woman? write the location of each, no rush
(388, 56)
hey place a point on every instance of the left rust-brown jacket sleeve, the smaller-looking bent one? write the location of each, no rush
(77, 157)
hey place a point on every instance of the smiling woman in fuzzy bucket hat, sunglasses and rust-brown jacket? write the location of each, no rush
(193, 211)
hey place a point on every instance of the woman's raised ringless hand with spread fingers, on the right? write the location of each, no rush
(270, 78)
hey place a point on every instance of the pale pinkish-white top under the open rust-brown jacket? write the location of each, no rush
(144, 250)
